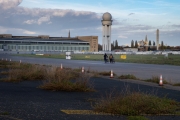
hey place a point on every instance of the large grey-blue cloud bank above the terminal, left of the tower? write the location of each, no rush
(48, 21)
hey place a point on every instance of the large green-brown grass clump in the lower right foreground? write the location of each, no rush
(136, 103)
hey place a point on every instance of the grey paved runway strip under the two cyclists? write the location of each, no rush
(144, 71)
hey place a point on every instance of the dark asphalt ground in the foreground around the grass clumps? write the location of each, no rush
(25, 101)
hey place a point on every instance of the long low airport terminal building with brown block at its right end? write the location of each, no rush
(46, 43)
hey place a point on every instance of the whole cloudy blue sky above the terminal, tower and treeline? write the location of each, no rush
(132, 19)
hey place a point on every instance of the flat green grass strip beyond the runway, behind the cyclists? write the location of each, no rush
(144, 59)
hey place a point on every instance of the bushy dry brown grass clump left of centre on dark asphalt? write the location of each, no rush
(66, 80)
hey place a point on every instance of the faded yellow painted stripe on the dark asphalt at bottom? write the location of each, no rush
(84, 112)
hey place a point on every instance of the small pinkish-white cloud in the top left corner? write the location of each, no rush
(7, 4)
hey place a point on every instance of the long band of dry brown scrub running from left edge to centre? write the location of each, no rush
(54, 78)
